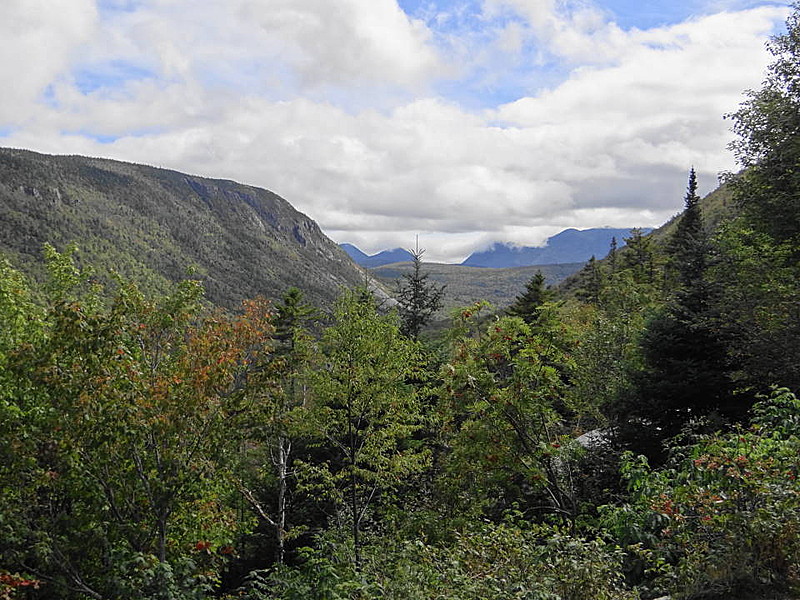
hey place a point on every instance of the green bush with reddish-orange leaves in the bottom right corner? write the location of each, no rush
(724, 513)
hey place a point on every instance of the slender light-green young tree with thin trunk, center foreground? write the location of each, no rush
(365, 412)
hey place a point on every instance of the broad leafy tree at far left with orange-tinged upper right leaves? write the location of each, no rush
(140, 410)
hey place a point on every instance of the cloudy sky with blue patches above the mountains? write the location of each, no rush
(463, 122)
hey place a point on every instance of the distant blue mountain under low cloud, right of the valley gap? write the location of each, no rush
(569, 246)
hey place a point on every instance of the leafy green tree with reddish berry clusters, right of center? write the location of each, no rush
(502, 399)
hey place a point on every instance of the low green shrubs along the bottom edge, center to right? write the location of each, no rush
(489, 562)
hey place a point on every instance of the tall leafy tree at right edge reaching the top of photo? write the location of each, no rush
(759, 271)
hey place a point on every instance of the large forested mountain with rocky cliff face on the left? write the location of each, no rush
(151, 224)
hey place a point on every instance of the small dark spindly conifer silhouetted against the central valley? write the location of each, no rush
(418, 298)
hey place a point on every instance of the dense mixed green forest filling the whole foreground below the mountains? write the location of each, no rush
(635, 438)
